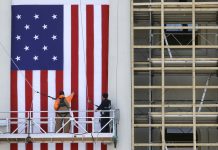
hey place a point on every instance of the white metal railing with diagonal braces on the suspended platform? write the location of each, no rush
(43, 122)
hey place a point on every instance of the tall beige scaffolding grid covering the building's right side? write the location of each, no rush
(174, 74)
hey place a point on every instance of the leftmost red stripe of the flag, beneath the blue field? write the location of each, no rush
(13, 146)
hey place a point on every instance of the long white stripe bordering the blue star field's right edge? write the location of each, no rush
(67, 56)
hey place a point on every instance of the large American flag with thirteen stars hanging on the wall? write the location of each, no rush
(61, 45)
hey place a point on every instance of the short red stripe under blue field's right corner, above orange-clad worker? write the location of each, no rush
(59, 87)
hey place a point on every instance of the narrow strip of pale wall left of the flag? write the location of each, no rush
(5, 35)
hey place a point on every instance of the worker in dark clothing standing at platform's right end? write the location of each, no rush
(105, 106)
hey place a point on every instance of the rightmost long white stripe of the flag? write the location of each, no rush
(97, 65)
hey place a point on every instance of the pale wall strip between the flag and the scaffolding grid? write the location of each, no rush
(120, 69)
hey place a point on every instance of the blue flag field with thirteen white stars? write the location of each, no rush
(37, 37)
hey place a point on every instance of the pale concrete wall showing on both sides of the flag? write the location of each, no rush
(119, 66)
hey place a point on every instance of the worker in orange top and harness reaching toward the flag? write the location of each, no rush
(62, 103)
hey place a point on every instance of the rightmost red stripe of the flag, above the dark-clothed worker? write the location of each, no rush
(105, 30)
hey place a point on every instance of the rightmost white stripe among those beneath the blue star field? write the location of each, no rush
(51, 114)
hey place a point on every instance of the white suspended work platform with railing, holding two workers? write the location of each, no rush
(31, 126)
